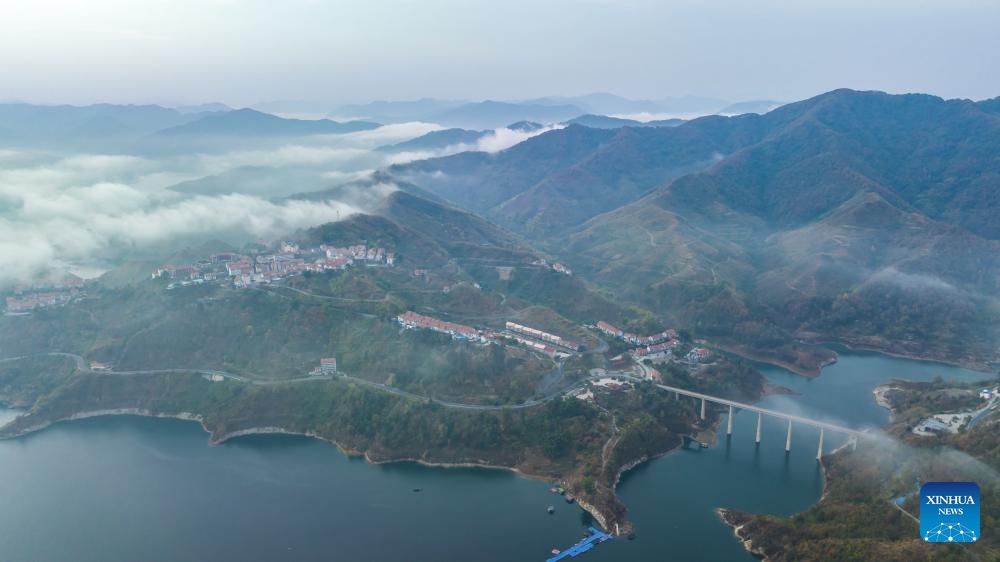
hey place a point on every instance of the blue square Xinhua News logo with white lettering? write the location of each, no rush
(949, 512)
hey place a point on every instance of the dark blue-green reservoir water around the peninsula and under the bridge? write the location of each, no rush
(126, 488)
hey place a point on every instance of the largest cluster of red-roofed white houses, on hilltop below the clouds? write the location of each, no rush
(287, 261)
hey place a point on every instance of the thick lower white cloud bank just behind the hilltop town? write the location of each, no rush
(105, 220)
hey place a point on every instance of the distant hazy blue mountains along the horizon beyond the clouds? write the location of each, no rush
(127, 128)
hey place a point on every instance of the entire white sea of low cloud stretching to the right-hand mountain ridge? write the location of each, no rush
(59, 211)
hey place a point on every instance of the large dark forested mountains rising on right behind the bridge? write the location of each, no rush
(859, 216)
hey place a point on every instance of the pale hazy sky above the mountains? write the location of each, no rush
(246, 51)
